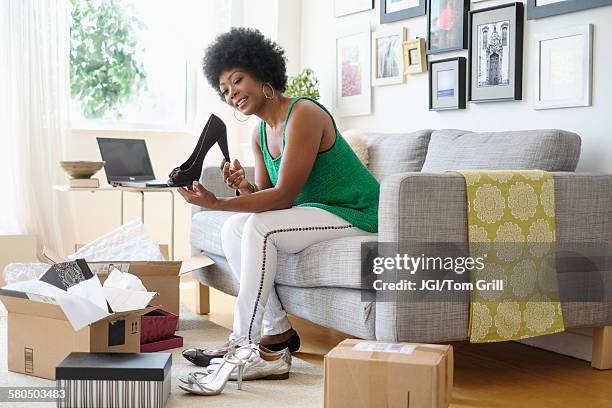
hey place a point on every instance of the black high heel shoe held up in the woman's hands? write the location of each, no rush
(190, 171)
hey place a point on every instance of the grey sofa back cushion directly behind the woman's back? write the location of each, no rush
(390, 153)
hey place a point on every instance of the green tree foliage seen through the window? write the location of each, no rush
(104, 72)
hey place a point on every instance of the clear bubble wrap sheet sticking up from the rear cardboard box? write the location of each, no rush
(127, 243)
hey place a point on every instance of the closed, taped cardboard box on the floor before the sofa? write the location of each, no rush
(372, 374)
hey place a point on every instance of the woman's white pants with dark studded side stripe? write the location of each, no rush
(251, 241)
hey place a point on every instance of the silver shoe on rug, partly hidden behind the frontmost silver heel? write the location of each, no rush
(263, 364)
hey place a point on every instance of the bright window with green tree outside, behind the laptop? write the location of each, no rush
(131, 61)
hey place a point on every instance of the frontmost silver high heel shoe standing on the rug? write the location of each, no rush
(213, 383)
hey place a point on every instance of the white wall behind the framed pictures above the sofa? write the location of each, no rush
(404, 107)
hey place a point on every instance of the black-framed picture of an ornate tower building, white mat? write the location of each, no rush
(496, 53)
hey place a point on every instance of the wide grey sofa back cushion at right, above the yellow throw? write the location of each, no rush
(550, 150)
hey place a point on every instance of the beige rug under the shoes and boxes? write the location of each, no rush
(304, 388)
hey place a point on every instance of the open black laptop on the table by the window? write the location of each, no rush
(128, 163)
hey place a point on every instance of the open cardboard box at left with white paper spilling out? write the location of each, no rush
(40, 335)
